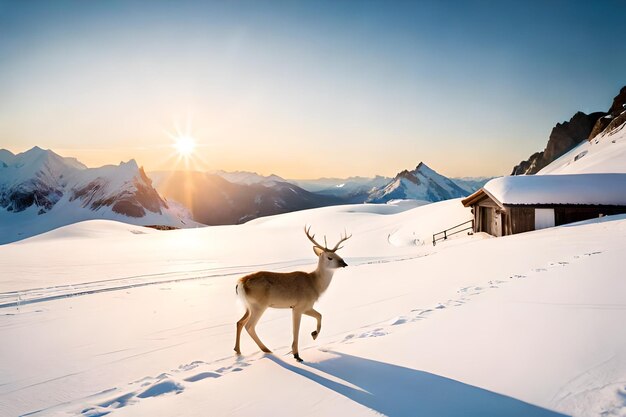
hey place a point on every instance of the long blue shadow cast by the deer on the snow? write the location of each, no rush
(397, 391)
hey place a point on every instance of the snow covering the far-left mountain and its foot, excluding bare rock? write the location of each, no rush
(39, 168)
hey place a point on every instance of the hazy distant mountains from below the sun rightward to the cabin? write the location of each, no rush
(221, 197)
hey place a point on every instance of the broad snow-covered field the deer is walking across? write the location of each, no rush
(142, 322)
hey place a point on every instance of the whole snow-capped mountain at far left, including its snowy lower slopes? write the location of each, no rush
(40, 190)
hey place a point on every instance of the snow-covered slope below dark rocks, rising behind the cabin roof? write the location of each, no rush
(606, 153)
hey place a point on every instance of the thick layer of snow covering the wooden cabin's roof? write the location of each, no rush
(593, 189)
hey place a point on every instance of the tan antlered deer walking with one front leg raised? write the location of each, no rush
(295, 290)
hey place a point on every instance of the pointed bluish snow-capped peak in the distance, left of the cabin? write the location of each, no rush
(423, 183)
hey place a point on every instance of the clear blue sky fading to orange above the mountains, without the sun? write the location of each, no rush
(304, 89)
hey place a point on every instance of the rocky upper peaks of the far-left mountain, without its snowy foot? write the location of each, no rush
(42, 178)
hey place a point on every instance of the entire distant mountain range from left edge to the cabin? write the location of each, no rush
(41, 190)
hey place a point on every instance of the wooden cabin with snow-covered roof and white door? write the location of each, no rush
(516, 204)
